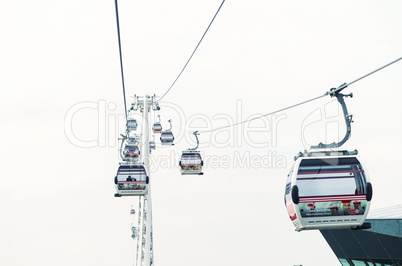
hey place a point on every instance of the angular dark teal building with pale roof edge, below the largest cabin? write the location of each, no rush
(379, 245)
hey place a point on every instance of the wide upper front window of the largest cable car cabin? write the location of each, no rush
(340, 176)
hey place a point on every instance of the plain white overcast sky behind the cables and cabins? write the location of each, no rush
(56, 199)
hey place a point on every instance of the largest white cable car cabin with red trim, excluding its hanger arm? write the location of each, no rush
(328, 190)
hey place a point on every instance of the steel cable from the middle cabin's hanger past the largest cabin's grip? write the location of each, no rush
(330, 92)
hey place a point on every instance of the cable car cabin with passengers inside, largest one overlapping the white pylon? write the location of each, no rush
(131, 180)
